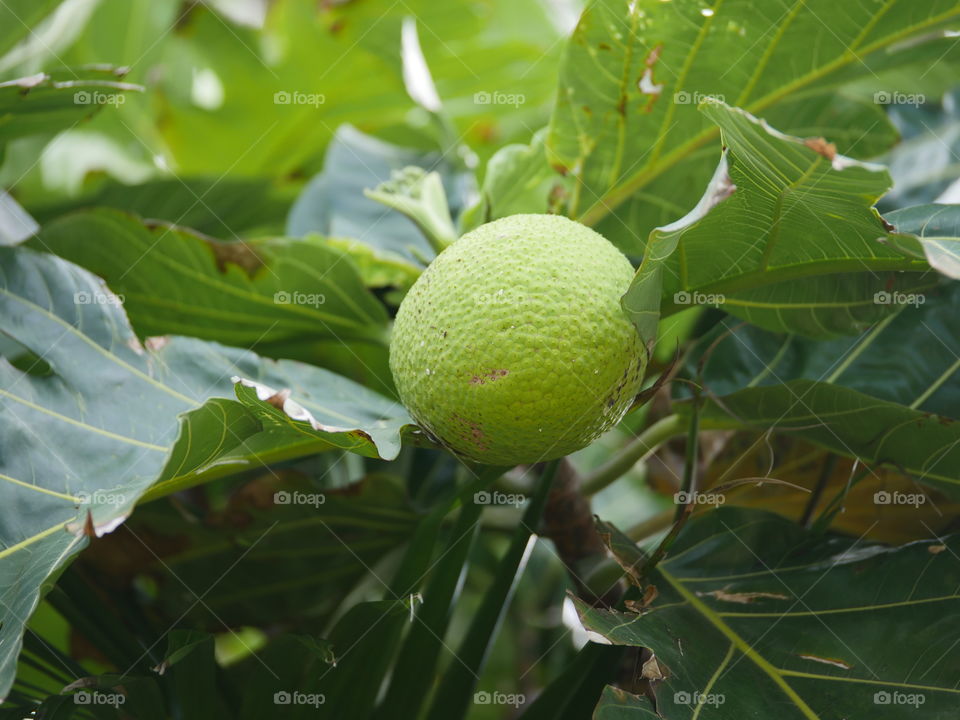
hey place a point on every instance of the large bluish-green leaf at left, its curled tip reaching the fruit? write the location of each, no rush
(98, 429)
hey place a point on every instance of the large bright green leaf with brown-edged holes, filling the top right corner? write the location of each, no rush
(625, 125)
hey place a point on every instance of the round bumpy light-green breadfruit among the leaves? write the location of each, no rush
(512, 346)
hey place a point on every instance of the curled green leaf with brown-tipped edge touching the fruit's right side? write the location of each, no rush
(778, 210)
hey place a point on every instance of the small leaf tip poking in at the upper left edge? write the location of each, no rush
(46, 104)
